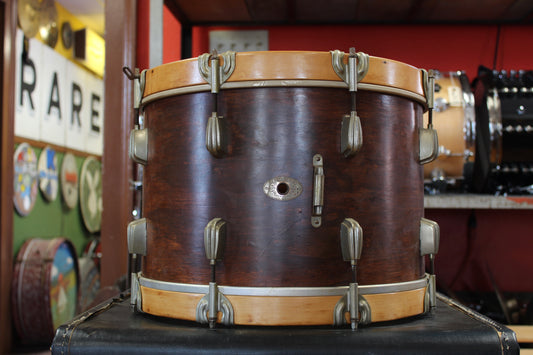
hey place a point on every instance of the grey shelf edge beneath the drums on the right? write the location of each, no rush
(472, 201)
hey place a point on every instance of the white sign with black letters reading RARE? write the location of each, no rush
(57, 101)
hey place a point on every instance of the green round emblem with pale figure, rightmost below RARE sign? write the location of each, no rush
(91, 194)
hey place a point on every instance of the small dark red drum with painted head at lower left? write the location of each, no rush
(45, 288)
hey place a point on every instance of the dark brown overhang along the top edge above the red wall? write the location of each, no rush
(288, 12)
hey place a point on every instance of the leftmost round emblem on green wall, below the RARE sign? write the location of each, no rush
(25, 179)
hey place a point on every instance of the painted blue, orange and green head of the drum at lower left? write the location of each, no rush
(64, 286)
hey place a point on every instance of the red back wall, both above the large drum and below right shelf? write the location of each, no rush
(498, 243)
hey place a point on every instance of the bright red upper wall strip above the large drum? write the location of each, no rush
(443, 47)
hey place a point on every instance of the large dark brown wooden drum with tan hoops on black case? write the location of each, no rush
(270, 166)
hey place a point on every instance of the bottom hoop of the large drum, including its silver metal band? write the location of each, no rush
(282, 306)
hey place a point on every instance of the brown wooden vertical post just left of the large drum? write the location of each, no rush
(116, 166)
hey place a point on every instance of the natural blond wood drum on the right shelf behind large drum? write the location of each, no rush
(454, 119)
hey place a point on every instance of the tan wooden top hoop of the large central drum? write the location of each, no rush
(291, 68)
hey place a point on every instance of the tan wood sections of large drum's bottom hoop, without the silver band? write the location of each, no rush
(283, 311)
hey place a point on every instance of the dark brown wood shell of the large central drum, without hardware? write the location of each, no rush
(275, 132)
